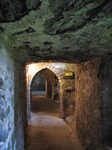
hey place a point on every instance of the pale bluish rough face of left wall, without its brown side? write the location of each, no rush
(7, 131)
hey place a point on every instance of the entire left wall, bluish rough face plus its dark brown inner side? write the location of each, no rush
(12, 97)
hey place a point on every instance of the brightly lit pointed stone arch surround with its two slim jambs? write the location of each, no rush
(31, 73)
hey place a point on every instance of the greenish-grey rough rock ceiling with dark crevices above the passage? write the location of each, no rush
(58, 29)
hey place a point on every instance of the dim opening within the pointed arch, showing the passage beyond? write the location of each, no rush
(44, 84)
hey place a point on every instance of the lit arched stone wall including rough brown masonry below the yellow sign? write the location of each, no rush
(67, 85)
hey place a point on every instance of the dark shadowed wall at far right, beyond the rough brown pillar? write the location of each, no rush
(107, 102)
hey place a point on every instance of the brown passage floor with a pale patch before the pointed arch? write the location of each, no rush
(46, 130)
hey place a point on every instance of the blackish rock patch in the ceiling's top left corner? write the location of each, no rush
(12, 10)
